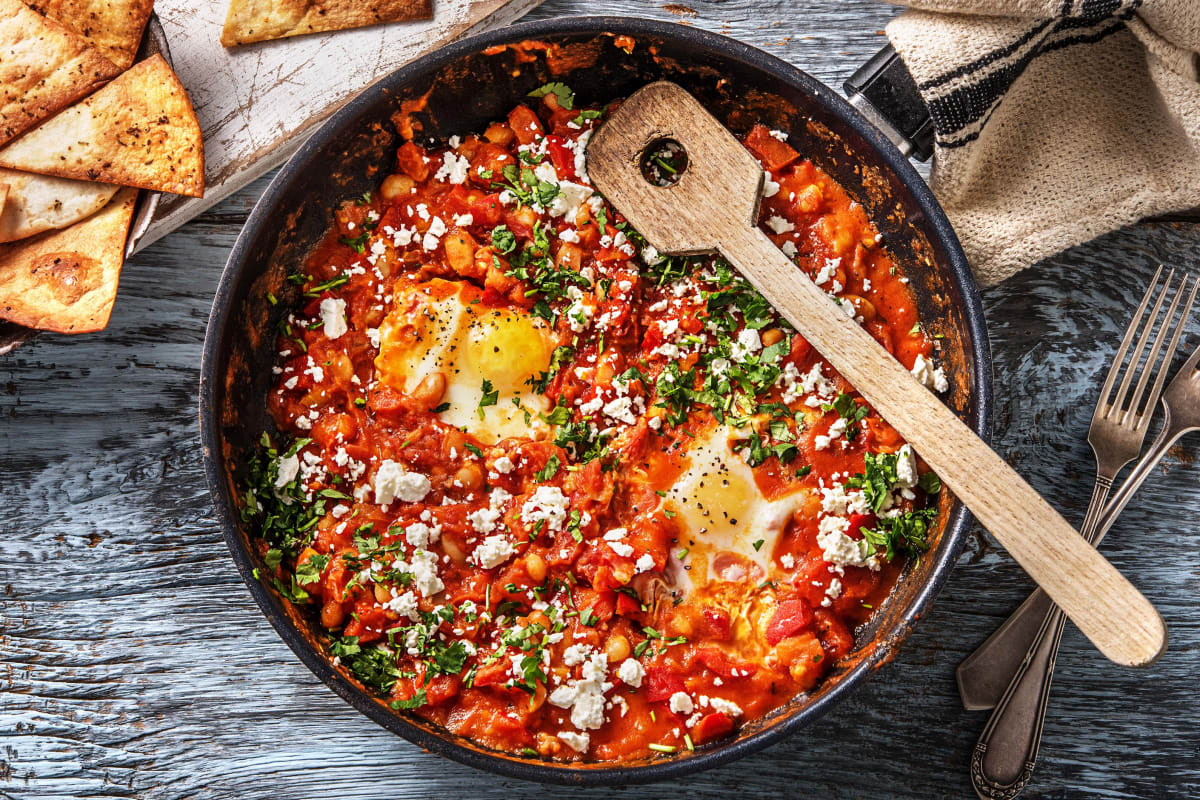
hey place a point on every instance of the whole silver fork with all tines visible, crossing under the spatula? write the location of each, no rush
(1005, 756)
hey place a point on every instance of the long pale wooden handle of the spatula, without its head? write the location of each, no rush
(1111, 612)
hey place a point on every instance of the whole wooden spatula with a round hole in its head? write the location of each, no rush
(713, 207)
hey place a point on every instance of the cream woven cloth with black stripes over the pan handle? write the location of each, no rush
(1057, 121)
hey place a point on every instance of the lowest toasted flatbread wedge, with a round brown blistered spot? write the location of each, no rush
(65, 281)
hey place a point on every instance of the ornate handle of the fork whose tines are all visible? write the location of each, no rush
(1007, 751)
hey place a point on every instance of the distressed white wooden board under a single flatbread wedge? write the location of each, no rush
(259, 103)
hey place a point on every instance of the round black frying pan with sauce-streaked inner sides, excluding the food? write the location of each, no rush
(458, 91)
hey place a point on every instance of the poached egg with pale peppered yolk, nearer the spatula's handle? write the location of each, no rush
(724, 515)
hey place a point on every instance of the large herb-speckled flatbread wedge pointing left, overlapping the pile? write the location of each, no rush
(137, 131)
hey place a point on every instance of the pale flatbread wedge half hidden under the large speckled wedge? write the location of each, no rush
(39, 203)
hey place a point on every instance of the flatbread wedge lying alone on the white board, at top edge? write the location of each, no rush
(256, 21)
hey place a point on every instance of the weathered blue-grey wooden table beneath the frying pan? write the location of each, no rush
(136, 665)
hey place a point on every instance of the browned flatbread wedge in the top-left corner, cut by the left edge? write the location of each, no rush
(44, 69)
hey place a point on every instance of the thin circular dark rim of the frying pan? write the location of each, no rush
(223, 323)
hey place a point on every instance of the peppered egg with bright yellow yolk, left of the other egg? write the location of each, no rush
(442, 327)
